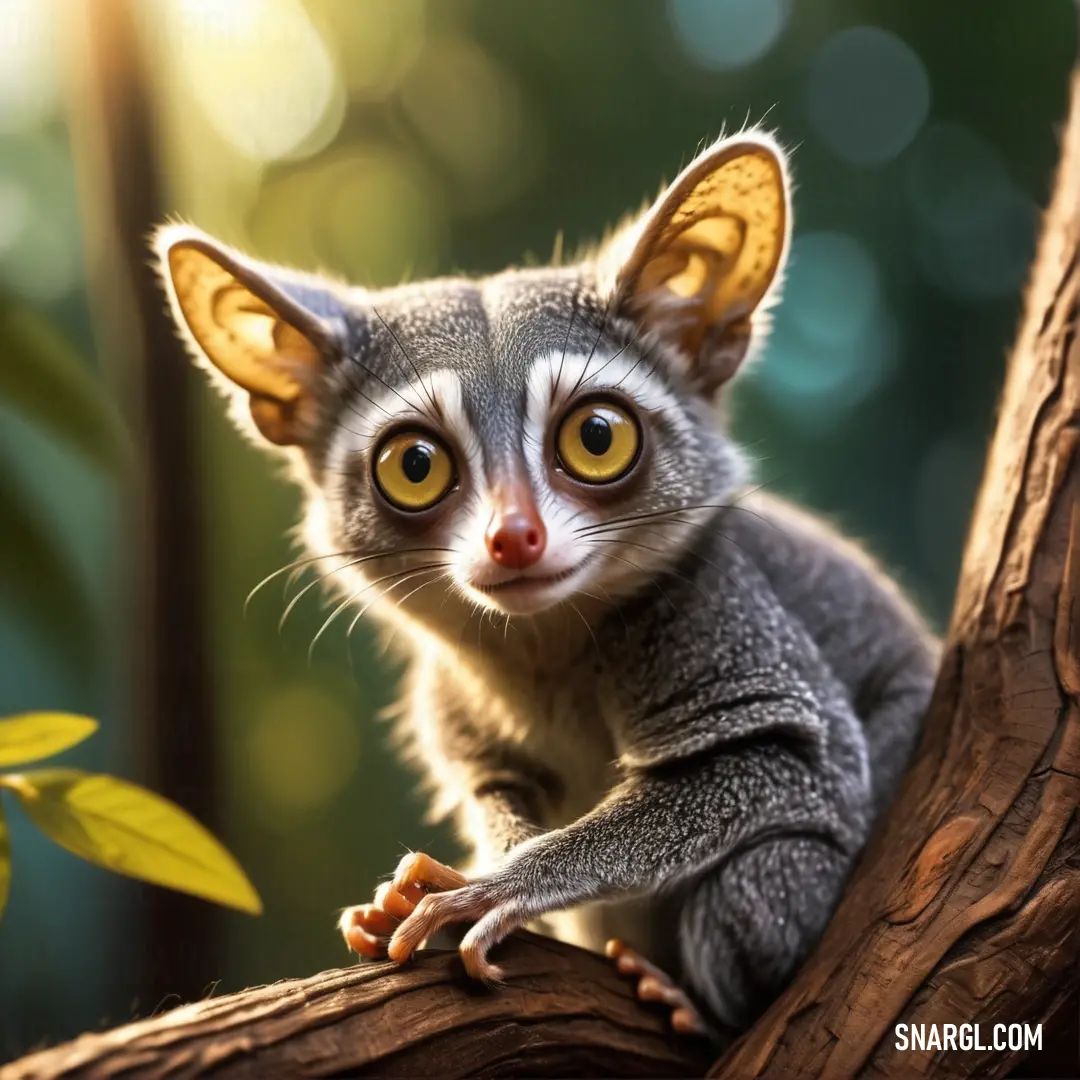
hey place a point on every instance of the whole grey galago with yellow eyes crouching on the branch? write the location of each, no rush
(663, 707)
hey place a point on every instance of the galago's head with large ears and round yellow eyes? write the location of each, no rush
(523, 439)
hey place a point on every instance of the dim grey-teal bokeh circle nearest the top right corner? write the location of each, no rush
(868, 96)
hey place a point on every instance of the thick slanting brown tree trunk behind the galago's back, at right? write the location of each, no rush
(967, 906)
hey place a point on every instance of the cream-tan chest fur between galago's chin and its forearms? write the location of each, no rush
(538, 688)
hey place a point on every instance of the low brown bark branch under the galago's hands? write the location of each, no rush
(563, 1014)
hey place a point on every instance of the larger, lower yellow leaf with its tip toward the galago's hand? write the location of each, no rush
(134, 832)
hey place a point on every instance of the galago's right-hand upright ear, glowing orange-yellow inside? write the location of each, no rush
(701, 266)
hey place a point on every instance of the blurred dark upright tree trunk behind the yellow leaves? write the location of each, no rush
(117, 160)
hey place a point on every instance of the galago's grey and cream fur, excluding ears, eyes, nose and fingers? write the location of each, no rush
(708, 744)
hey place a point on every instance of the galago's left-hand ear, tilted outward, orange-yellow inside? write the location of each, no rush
(269, 333)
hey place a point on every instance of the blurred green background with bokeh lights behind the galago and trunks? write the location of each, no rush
(388, 139)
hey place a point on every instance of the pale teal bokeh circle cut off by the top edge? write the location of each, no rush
(724, 35)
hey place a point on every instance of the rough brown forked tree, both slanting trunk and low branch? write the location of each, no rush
(965, 909)
